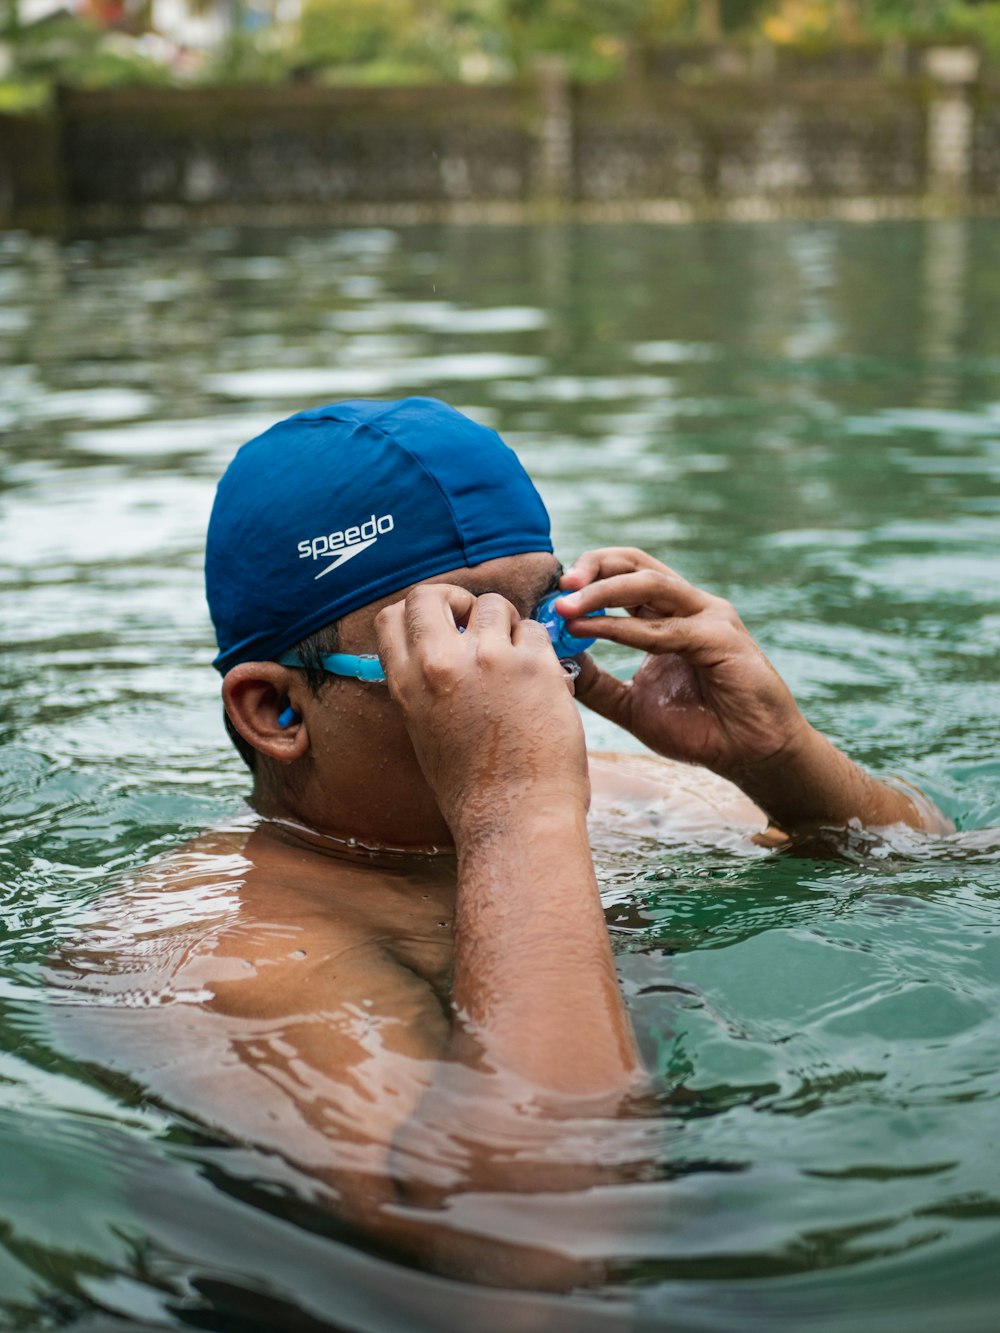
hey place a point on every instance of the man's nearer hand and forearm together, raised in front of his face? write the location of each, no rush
(493, 720)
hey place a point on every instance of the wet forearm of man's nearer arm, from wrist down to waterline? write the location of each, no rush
(534, 976)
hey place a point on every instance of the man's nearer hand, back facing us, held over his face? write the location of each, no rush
(490, 710)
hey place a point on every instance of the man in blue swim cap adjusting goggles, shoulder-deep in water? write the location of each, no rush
(395, 974)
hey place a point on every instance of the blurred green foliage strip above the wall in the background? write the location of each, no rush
(437, 41)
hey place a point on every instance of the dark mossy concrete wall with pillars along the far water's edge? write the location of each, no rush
(741, 141)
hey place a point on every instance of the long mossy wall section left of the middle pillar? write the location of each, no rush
(129, 154)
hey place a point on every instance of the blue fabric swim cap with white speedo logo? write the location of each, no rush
(345, 505)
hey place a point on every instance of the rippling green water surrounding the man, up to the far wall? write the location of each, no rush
(805, 418)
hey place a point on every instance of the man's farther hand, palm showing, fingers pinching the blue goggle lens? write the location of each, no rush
(706, 694)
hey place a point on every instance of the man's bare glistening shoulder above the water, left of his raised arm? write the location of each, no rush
(247, 923)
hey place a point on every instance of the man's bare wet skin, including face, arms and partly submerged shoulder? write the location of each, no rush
(398, 976)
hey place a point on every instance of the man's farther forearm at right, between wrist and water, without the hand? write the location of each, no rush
(811, 783)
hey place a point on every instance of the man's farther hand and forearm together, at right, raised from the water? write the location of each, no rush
(707, 695)
